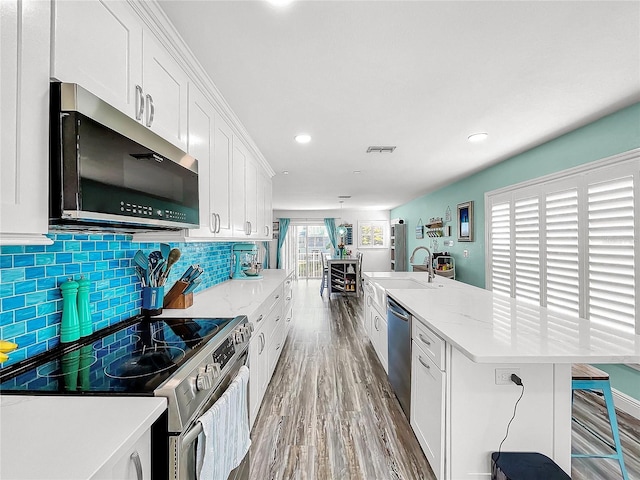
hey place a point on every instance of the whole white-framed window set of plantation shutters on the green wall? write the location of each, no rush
(568, 241)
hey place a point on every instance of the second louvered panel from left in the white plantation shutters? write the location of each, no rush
(527, 249)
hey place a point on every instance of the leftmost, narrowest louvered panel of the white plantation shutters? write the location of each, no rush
(500, 246)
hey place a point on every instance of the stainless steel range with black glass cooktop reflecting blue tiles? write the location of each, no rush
(189, 361)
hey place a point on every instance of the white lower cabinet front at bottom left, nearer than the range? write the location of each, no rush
(134, 464)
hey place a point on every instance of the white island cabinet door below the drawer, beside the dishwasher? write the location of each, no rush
(427, 407)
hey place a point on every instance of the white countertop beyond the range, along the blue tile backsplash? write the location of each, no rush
(231, 298)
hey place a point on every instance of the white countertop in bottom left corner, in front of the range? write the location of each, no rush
(69, 437)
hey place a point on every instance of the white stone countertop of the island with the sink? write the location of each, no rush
(490, 328)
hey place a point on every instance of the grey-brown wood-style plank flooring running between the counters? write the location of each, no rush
(329, 411)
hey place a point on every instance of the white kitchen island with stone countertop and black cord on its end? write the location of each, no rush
(483, 334)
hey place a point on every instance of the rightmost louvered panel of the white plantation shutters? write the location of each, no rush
(611, 287)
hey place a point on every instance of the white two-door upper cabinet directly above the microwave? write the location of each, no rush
(104, 47)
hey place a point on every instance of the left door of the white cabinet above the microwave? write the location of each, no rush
(98, 45)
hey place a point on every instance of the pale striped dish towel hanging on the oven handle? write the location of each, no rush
(224, 440)
